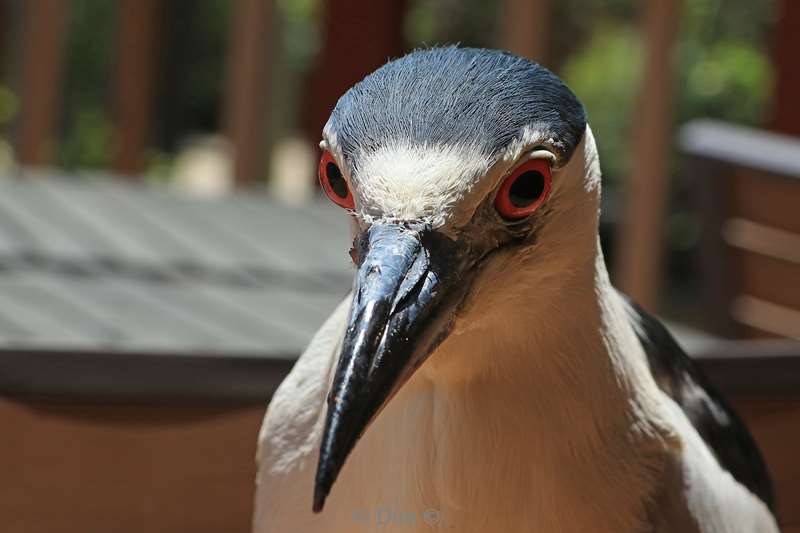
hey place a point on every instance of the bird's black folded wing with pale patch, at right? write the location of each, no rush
(713, 418)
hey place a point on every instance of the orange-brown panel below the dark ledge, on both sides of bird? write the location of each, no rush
(88, 467)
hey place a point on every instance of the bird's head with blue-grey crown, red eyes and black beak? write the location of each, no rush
(451, 162)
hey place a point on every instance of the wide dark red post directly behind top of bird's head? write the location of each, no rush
(358, 36)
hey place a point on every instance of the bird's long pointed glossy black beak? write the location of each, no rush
(405, 274)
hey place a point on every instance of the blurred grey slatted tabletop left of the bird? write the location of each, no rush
(100, 265)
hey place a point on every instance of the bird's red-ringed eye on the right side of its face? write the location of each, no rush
(524, 190)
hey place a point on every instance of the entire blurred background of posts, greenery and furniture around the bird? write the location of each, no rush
(165, 252)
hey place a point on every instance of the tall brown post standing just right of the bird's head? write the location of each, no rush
(639, 263)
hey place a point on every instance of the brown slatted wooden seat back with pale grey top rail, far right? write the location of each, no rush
(747, 185)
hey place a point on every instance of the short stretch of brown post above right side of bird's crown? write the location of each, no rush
(524, 28)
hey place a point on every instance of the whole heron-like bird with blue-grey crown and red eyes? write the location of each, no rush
(483, 374)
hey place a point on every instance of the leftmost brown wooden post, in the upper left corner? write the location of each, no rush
(42, 35)
